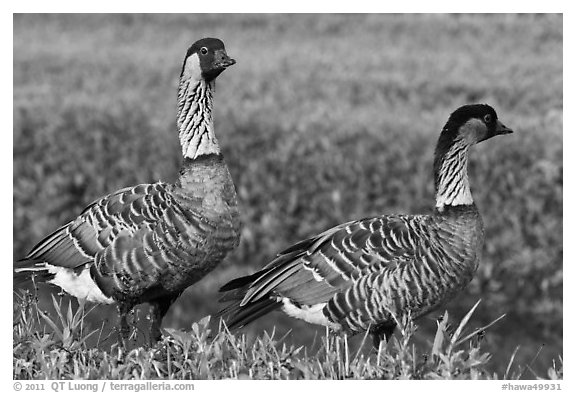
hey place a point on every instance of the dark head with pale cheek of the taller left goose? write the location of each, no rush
(206, 59)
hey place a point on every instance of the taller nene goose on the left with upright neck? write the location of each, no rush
(148, 243)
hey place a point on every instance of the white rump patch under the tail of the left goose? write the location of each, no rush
(81, 286)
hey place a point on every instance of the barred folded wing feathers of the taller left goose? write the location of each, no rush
(119, 237)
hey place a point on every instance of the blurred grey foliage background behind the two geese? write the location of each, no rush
(324, 119)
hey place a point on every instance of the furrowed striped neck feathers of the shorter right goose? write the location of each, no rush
(451, 173)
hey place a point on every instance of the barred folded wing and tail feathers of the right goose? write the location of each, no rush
(336, 265)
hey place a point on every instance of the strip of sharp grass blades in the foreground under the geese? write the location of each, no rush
(57, 347)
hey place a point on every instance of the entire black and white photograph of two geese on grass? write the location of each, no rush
(322, 196)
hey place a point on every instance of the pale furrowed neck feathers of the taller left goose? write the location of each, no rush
(194, 120)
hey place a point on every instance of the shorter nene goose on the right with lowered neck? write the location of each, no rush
(364, 275)
